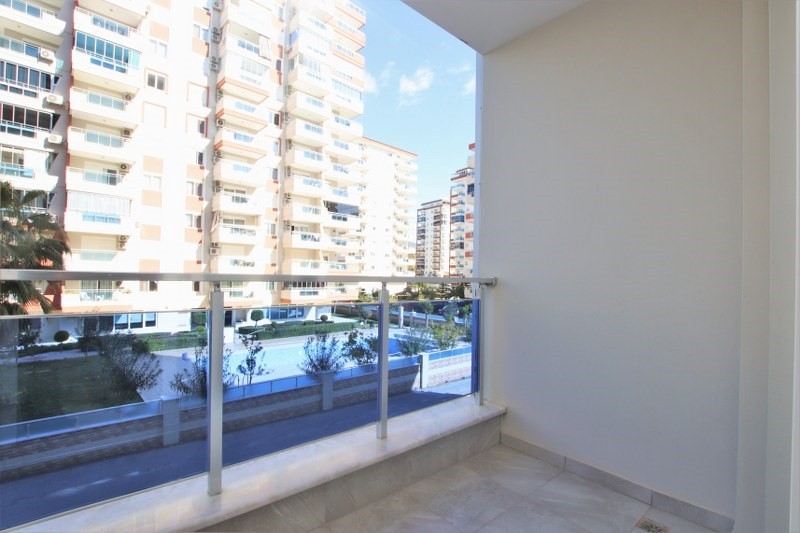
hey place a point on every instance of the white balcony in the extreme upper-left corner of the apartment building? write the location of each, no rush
(33, 20)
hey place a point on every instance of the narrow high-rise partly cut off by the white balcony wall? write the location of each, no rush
(462, 218)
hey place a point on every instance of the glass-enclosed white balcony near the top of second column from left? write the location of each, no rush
(99, 70)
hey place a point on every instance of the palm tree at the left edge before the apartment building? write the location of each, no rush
(29, 239)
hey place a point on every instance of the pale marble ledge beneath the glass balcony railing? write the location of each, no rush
(185, 505)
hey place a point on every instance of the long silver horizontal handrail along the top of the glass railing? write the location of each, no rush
(63, 275)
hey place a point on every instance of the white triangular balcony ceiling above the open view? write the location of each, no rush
(487, 24)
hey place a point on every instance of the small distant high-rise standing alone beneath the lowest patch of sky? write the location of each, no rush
(433, 238)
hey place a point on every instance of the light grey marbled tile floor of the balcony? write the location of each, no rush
(501, 490)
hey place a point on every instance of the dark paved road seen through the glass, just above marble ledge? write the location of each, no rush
(43, 495)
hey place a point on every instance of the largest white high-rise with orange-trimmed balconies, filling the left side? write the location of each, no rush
(193, 136)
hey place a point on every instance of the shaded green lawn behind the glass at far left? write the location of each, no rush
(63, 386)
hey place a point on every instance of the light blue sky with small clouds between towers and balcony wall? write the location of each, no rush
(420, 92)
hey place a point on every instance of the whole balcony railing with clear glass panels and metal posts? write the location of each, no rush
(168, 421)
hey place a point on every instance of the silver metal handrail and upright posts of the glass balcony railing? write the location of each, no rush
(216, 313)
